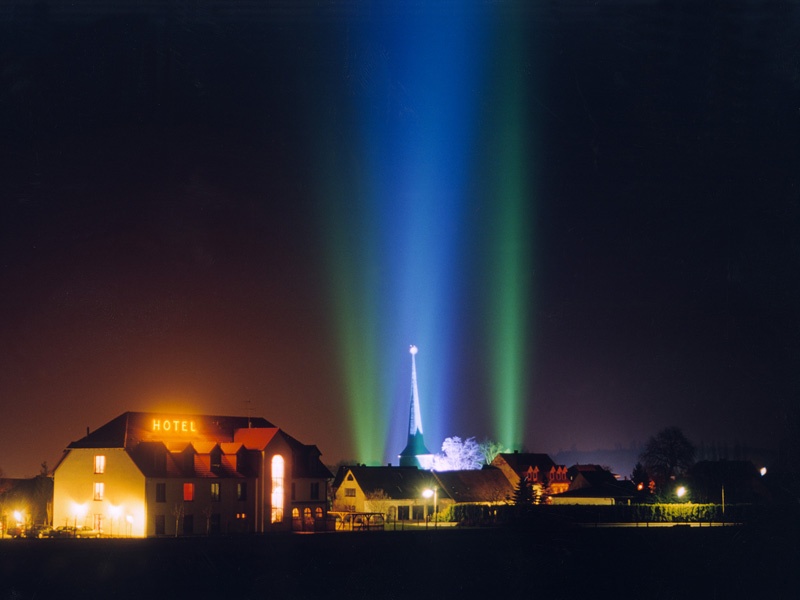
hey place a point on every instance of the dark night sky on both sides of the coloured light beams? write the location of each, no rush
(162, 219)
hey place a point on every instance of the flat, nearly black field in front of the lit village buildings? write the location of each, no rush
(749, 562)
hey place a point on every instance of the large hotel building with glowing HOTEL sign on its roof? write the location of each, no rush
(146, 474)
